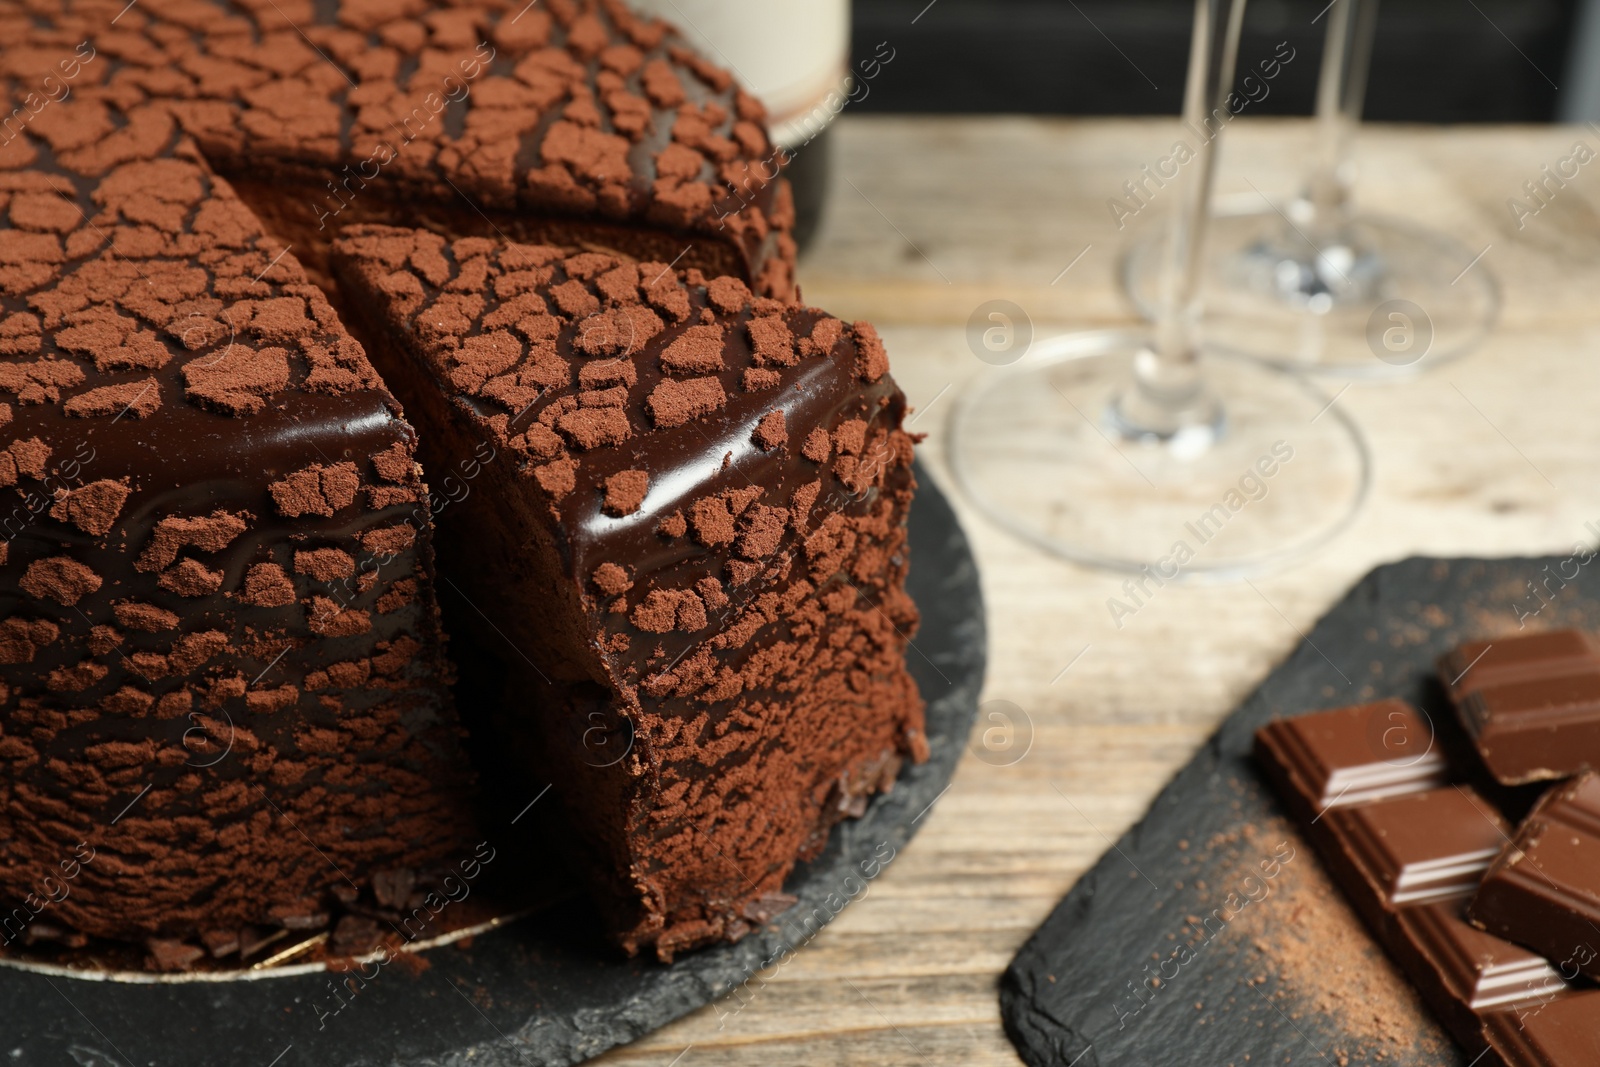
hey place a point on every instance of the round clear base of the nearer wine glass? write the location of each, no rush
(1036, 450)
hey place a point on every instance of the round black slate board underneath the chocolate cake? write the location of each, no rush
(542, 993)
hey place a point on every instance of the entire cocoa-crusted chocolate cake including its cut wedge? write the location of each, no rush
(666, 502)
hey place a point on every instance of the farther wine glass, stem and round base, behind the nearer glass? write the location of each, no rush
(1318, 286)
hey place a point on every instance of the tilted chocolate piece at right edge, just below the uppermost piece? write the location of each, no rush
(1545, 889)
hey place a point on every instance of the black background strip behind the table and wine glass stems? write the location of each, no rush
(1433, 62)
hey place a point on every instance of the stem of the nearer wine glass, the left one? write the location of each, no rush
(1169, 393)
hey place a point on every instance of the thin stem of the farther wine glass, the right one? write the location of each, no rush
(1342, 90)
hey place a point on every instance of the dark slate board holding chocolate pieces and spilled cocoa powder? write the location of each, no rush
(1070, 996)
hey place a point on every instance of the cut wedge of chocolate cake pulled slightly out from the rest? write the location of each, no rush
(684, 543)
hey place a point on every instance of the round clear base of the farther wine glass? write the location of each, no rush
(1386, 302)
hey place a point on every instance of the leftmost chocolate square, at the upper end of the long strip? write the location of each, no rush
(1351, 756)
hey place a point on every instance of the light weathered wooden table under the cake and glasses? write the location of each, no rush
(1495, 455)
